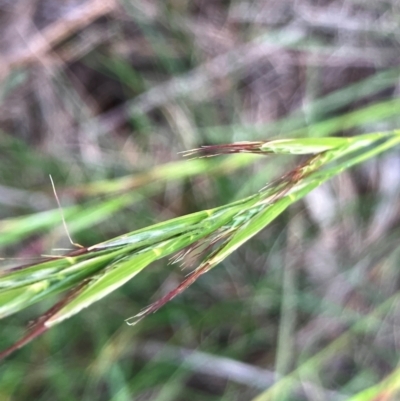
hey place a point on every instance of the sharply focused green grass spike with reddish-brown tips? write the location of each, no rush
(87, 275)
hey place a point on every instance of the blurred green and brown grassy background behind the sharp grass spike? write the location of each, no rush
(104, 94)
